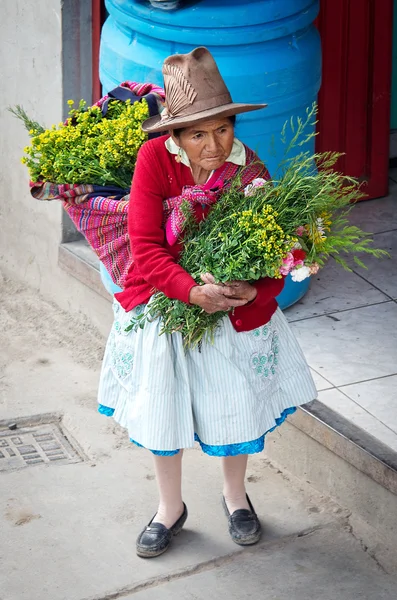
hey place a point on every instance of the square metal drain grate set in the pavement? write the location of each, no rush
(35, 445)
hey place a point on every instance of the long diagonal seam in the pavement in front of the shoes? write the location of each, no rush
(213, 563)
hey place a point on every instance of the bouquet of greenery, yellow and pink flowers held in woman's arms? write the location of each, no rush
(289, 224)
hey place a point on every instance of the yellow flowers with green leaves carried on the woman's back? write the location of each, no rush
(88, 147)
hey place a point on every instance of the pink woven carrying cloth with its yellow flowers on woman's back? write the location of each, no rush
(87, 163)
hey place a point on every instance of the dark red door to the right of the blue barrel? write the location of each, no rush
(354, 100)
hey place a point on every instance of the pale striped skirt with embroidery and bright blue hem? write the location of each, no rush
(227, 395)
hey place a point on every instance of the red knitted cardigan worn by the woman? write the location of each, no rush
(158, 176)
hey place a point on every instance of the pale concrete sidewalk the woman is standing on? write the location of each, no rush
(68, 523)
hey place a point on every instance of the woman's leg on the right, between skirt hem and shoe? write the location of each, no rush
(234, 468)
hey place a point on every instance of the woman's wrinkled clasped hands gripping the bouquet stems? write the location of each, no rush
(213, 298)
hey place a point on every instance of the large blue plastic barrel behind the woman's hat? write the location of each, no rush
(267, 51)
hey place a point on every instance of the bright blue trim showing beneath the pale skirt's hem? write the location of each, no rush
(228, 450)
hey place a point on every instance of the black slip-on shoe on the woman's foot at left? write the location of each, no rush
(155, 539)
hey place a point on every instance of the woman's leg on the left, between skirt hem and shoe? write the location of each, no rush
(168, 471)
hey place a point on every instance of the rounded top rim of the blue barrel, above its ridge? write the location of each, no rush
(275, 19)
